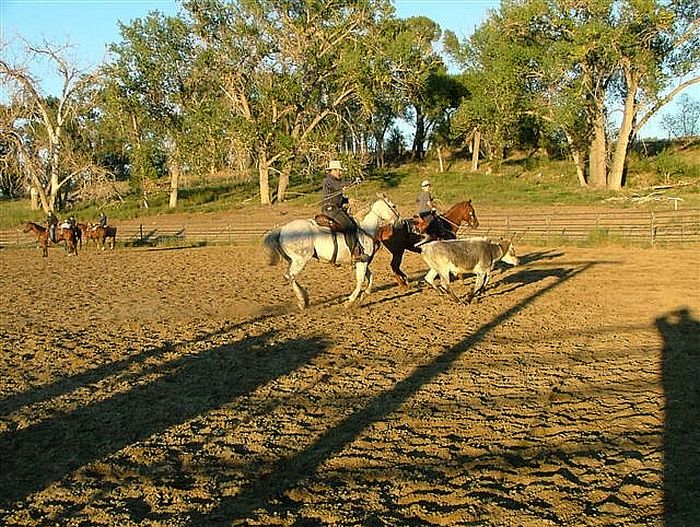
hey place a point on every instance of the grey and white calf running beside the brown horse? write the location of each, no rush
(476, 255)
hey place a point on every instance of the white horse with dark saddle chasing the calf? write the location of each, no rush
(301, 240)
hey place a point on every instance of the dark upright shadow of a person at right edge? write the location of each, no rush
(681, 380)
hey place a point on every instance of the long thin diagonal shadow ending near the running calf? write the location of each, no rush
(288, 472)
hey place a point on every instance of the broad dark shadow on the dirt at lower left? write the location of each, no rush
(185, 388)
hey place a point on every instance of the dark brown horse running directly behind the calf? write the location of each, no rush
(407, 235)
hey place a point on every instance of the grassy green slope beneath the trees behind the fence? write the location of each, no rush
(655, 179)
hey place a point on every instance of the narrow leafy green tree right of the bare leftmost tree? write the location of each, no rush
(152, 82)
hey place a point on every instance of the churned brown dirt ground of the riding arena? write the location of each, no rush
(182, 387)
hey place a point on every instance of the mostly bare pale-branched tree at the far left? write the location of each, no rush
(40, 126)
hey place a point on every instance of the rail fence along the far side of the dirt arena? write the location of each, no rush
(678, 227)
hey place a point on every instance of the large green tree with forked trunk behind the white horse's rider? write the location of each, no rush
(288, 70)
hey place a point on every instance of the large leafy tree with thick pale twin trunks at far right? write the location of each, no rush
(590, 60)
